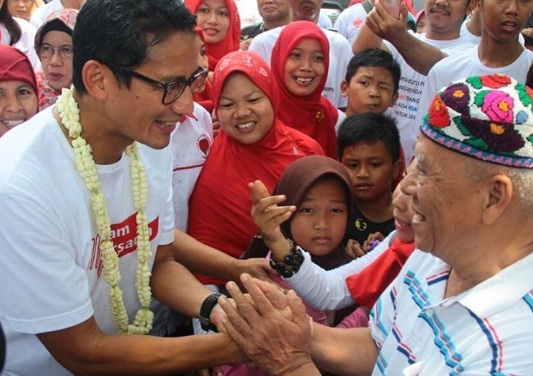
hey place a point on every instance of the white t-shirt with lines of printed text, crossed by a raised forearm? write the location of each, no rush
(410, 90)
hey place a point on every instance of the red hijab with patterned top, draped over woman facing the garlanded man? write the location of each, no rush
(220, 205)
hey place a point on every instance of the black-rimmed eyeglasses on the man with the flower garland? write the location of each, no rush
(174, 89)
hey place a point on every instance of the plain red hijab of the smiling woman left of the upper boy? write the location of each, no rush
(312, 114)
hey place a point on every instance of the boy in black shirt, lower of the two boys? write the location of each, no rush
(368, 145)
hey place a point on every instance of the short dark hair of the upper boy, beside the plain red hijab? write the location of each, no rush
(374, 57)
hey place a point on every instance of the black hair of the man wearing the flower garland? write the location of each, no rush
(120, 33)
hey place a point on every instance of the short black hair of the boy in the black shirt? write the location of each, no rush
(369, 128)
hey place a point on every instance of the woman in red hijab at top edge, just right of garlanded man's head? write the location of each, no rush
(220, 29)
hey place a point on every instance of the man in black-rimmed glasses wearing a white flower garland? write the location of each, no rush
(87, 223)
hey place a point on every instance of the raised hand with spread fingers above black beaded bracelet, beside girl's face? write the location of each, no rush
(266, 213)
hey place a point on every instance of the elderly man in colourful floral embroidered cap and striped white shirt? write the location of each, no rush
(463, 302)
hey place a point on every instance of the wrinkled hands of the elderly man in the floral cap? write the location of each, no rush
(273, 330)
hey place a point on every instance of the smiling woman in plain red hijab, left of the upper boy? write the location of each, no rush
(300, 61)
